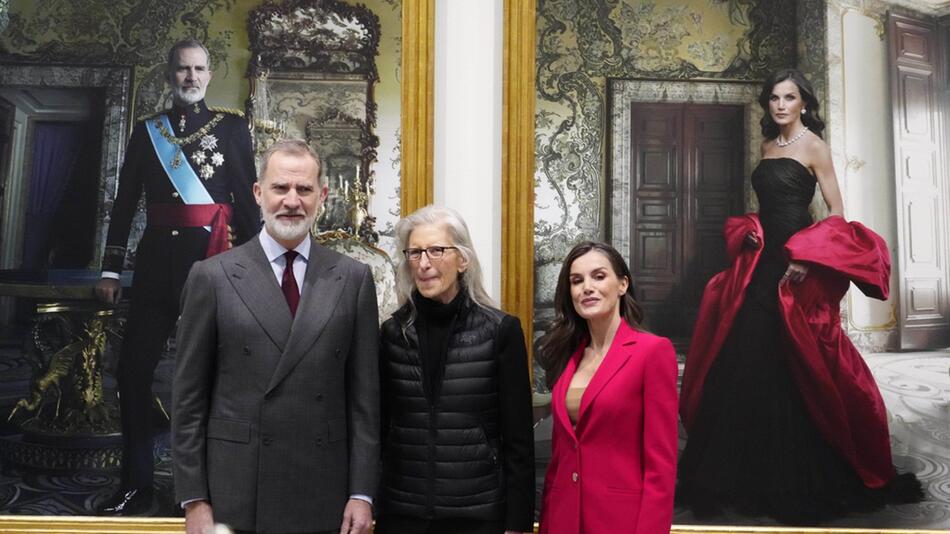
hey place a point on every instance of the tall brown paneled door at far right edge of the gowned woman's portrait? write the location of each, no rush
(924, 320)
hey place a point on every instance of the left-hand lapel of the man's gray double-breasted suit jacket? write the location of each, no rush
(253, 279)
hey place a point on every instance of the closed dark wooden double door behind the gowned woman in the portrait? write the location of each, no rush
(688, 176)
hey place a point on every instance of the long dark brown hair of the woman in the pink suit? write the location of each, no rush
(569, 329)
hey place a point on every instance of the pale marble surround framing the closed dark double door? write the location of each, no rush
(625, 92)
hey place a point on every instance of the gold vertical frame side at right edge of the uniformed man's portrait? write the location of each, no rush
(418, 103)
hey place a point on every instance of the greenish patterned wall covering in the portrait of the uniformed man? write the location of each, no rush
(139, 32)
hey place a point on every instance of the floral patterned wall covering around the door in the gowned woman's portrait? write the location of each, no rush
(582, 43)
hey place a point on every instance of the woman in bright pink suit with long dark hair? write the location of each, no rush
(613, 461)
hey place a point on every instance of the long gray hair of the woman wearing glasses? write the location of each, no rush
(449, 219)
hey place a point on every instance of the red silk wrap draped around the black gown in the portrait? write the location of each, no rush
(836, 384)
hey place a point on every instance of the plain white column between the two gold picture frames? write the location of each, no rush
(468, 106)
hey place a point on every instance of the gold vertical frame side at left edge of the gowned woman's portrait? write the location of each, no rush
(517, 181)
